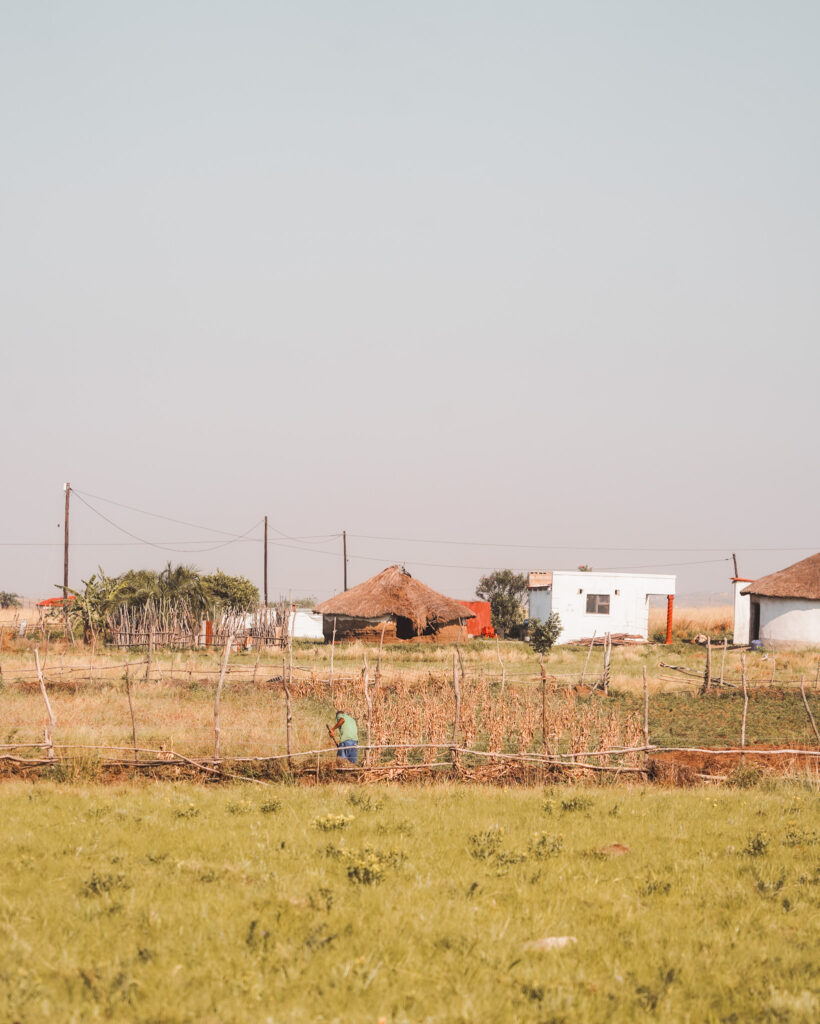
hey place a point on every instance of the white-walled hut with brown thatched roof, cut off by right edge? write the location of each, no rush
(782, 610)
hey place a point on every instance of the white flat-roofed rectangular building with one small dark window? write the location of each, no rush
(597, 603)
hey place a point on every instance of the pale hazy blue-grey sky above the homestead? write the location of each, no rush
(522, 285)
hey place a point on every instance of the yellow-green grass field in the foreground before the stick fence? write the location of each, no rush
(221, 905)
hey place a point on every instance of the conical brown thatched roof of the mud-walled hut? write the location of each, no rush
(395, 592)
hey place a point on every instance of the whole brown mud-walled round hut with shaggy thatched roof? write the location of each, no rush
(399, 606)
